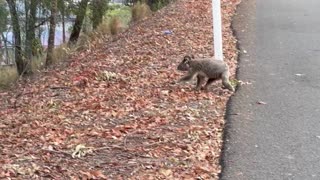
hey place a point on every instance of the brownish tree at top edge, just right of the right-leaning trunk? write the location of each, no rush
(98, 8)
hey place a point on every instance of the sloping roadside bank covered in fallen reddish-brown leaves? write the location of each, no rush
(117, 104)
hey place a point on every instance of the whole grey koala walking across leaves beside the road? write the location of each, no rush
(203, 68)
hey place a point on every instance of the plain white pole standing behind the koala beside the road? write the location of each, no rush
(217, 30)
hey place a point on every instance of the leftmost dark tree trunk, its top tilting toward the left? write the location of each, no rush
(17, 37)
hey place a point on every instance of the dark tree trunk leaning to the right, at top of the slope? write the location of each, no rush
(78, 22)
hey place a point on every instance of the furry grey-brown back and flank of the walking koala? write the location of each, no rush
(209, 67)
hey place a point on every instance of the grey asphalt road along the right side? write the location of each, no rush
(278, 138)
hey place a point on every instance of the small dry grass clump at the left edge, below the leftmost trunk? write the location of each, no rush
(8, 75)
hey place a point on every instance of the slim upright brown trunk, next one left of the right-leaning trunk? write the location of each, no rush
(50, 49)
